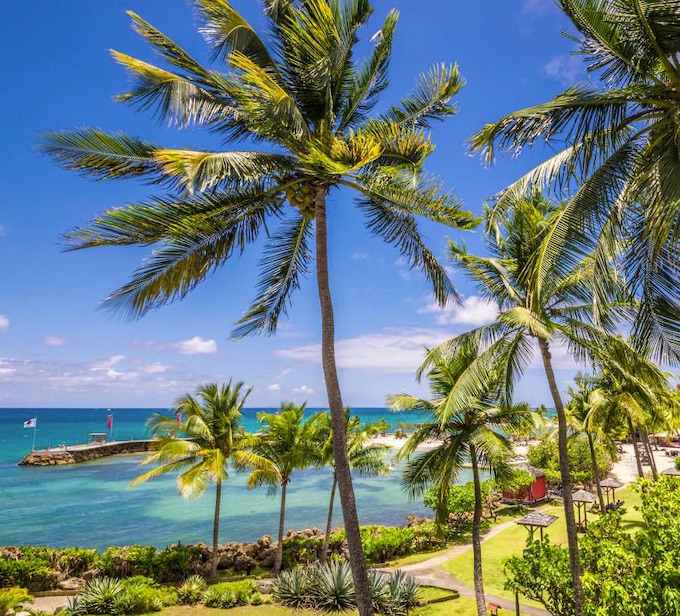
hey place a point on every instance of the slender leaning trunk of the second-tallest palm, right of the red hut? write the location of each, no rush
(572, 538)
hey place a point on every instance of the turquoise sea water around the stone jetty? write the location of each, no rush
(91, 505)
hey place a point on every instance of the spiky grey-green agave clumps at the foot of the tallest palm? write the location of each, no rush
(330, 588)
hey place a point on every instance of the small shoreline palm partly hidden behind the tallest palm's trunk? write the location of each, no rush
(366, 457)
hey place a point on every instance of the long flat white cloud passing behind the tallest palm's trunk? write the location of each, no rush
(392, 350)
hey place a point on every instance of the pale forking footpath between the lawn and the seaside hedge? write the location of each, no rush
(431, 573)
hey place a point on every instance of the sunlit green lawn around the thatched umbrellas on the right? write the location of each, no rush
(511, 542)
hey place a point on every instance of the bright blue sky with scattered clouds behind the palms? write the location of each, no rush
(58, 349)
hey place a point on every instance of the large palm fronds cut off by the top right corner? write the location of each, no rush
(618, 141)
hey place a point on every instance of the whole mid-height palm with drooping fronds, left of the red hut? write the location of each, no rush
(466, 426)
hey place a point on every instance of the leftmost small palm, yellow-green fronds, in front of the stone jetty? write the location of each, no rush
(210, 422)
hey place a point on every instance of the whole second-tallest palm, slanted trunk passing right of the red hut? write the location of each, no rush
(541, 301)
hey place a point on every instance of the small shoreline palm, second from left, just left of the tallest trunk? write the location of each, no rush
(289, 442)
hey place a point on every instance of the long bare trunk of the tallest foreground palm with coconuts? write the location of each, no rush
(342, 469)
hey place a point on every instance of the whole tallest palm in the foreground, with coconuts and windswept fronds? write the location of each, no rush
(302, 94)
